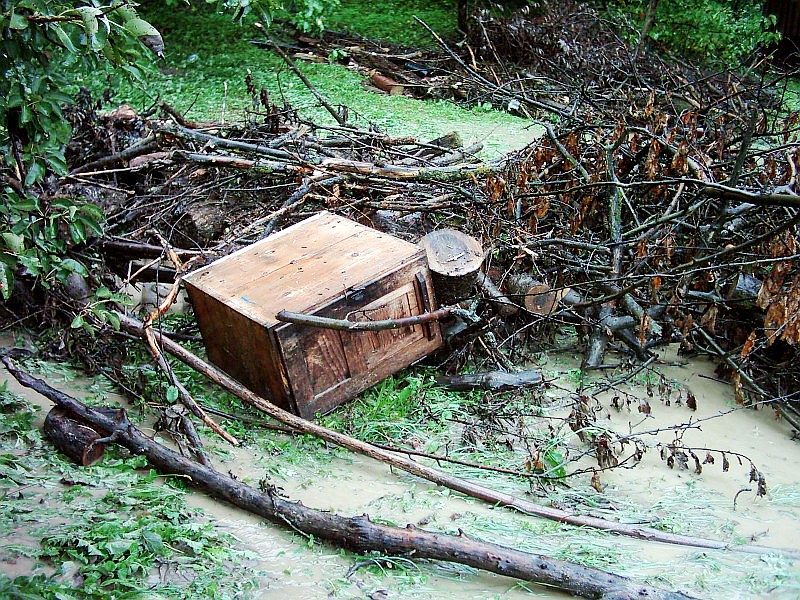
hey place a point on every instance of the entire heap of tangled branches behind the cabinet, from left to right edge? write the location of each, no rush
(659, 207)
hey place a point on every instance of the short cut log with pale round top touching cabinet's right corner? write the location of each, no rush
(454, 259)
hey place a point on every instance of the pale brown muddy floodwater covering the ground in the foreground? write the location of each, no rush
(289, 566)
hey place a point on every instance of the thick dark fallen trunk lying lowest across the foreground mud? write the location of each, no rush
(356, 533)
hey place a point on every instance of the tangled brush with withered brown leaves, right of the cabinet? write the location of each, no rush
(666, 194)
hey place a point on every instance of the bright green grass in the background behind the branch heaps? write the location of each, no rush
(208, 57)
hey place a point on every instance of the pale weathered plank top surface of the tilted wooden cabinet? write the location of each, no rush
(302, 267)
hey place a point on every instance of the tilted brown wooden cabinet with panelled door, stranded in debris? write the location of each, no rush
(327, 266)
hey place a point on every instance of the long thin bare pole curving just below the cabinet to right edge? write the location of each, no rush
(468, 488)
